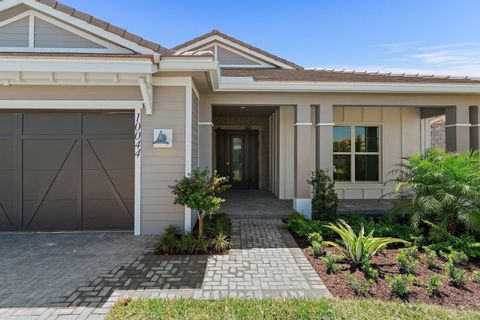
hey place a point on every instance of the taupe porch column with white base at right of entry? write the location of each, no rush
(302, 197)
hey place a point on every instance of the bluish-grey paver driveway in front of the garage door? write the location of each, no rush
(41, 270)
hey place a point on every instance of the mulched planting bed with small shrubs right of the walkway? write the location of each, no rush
(344, 280)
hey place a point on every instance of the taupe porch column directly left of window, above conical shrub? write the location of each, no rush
(324, 137)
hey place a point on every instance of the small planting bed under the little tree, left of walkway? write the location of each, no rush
(216, 239)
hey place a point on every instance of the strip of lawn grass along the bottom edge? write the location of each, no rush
(281, 309)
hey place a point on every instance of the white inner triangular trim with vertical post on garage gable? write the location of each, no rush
(33, 15)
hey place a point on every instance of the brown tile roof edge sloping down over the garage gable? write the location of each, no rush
(107, 27)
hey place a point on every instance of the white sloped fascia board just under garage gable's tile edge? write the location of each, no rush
(6, 4)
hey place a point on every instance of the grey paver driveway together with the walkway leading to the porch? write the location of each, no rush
(264, 261)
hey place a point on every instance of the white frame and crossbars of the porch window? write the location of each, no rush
(352, 153)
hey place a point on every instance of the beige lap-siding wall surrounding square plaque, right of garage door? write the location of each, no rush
(161, 166)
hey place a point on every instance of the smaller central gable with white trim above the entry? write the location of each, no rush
(232, 48)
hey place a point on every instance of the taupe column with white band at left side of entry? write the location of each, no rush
(205, 134)
